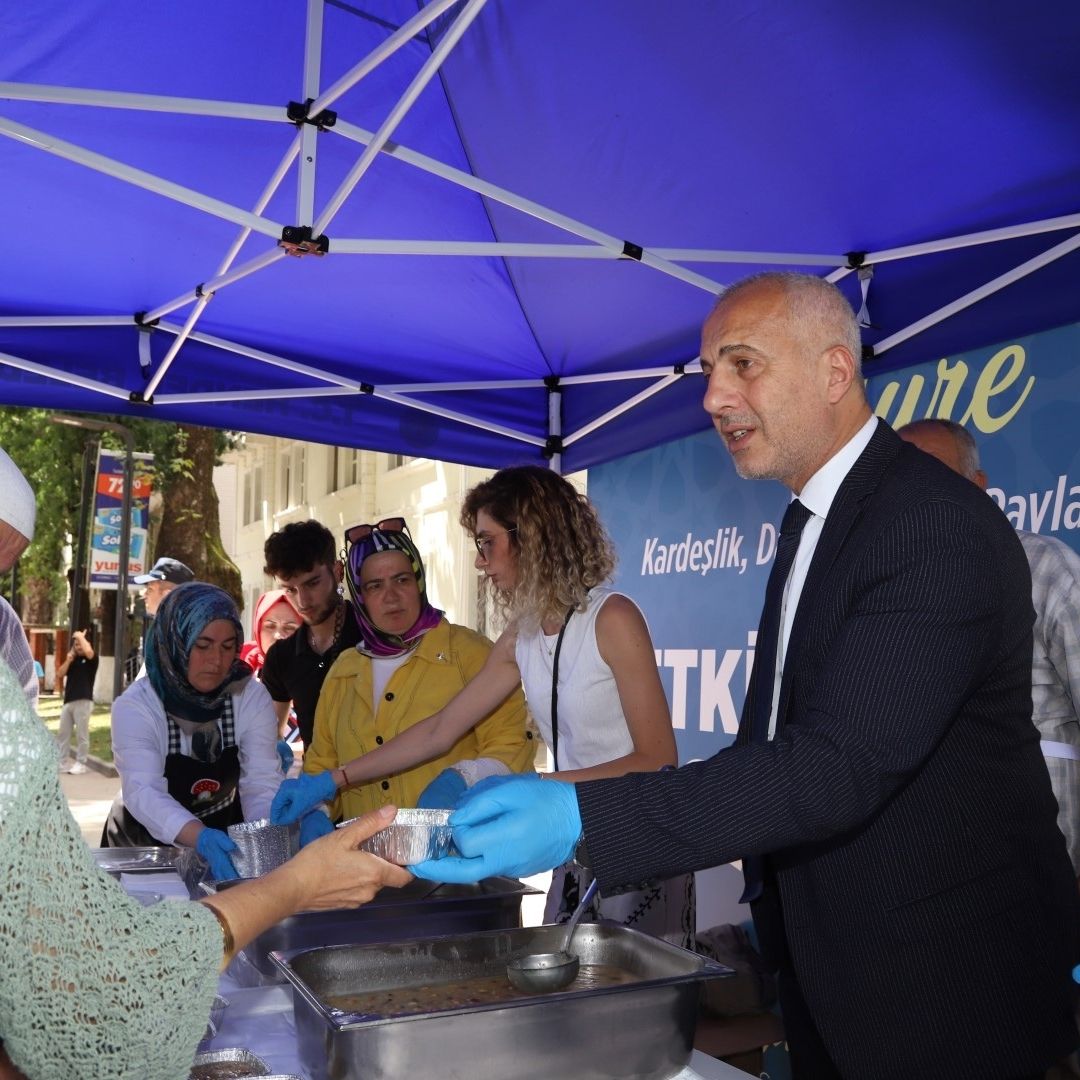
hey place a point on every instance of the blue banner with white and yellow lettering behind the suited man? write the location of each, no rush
(696, 543)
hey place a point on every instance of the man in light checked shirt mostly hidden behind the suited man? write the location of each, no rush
(1056, 595)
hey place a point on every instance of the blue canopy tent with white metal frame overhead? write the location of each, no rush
(510, 218)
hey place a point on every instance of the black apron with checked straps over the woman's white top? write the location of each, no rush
(209, 790)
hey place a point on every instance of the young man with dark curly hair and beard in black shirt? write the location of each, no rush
(303, 559)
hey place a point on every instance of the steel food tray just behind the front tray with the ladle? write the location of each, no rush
(418, 910)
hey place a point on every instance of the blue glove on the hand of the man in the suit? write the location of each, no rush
(515, 829)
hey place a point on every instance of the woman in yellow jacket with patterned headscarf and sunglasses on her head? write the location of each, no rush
(410, 663)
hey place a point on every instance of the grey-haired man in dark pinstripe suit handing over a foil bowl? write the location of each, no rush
(886, 790)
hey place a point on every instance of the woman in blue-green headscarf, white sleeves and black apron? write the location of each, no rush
(195, 741)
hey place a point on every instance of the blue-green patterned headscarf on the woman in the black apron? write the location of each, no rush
(185, 613)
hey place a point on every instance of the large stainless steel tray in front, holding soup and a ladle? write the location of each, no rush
(642, 1030)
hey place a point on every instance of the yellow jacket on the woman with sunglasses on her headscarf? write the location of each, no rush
(447, 658)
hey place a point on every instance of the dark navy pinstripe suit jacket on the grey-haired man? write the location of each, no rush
(929, 907)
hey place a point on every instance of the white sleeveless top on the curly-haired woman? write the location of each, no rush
(592, 728)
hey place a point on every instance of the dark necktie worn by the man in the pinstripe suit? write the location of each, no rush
(765, 657)
